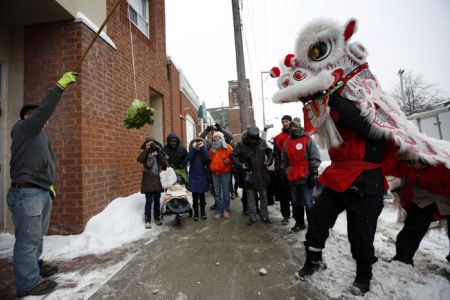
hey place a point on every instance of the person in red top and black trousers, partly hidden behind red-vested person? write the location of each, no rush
(283, 194)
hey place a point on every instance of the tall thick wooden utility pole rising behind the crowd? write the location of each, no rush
(242, 95)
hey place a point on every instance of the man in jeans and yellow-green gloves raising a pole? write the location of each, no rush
(30, 196)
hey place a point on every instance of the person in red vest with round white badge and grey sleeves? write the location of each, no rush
(300, 162)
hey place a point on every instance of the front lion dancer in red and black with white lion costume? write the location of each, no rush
(354, 119)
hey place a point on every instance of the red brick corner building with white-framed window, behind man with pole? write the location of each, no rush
(96, 154)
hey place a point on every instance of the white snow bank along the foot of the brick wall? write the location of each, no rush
(120, 223)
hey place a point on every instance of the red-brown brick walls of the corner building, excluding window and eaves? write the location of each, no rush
(96, 154)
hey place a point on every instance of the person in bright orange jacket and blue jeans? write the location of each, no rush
(220, 153)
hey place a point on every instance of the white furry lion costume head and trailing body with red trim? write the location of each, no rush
(325, 62)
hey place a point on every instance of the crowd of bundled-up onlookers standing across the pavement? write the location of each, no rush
(214, 160)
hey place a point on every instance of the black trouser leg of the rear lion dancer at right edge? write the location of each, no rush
(416, 226)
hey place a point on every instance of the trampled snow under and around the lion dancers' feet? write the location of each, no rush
(427, 280)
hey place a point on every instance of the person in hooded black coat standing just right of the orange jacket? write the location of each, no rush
(252, 156)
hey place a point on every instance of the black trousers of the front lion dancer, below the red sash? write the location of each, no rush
(362, 215)
